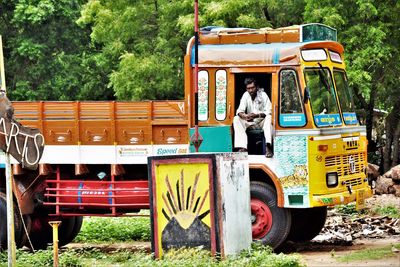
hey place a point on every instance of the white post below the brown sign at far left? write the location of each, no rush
(10, 214)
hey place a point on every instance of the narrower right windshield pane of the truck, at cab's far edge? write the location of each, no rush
(345, 97)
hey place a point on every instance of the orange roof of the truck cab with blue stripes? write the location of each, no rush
(220, 46)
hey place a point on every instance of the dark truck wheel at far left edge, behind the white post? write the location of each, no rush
(3, 223)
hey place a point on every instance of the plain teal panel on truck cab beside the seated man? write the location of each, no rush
(215, 139)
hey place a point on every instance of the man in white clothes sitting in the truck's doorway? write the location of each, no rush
(254, 111)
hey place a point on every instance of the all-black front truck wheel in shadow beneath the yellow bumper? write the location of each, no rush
(307, 223)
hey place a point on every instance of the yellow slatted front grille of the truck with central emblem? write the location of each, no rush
(346, 165)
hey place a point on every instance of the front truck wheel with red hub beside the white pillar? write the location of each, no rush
(270, 224)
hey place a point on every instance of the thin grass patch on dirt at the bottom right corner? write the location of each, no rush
(369, 254)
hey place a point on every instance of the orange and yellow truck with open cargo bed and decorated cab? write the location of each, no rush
(95, 159)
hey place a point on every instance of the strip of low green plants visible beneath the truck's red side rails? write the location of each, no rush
(96, 229)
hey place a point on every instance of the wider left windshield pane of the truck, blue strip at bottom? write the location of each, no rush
(322, 97)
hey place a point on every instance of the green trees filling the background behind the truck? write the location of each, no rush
(133, 49)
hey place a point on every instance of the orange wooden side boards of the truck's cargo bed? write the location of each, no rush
(106, 122)
